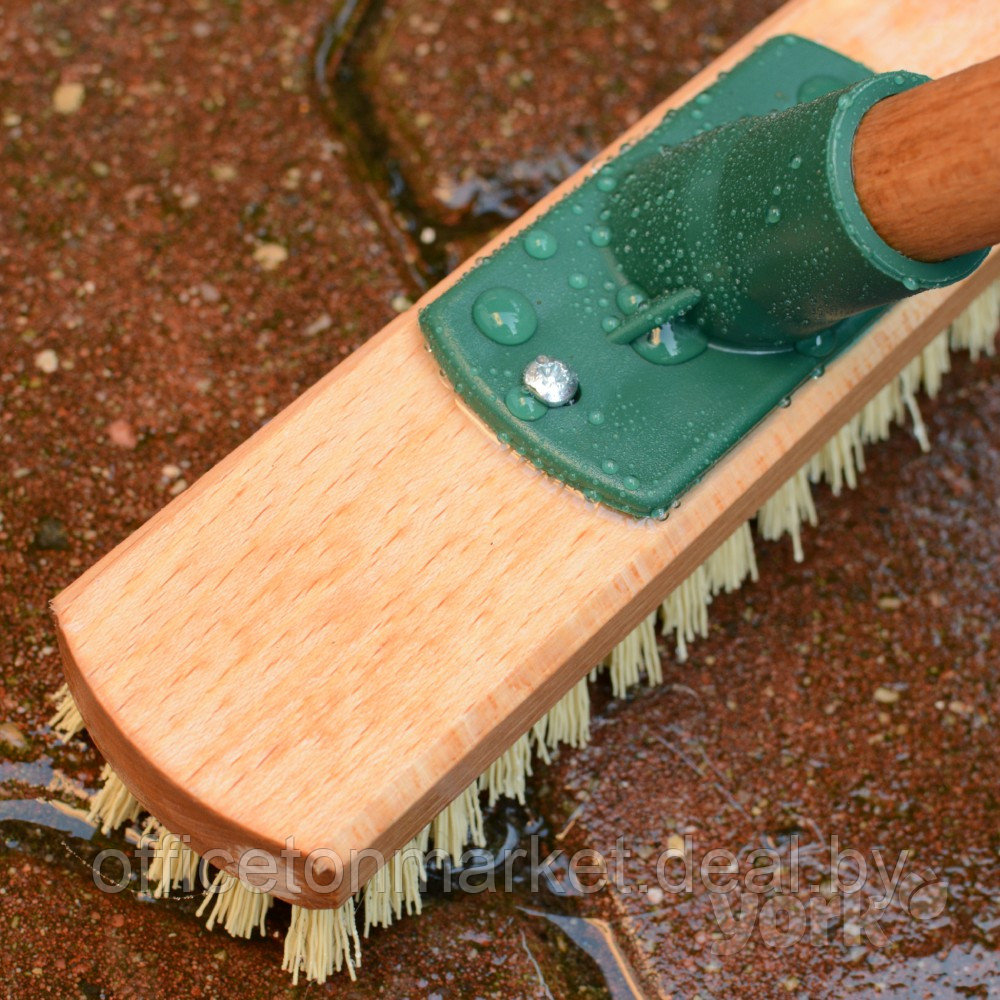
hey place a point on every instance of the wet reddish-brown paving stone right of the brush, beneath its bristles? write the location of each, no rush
(841, 716)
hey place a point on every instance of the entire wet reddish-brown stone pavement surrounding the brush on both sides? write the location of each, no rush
(188, 242)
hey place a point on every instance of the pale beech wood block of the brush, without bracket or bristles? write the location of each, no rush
(334, 631)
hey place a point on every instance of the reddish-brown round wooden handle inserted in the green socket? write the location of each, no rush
(927, 165)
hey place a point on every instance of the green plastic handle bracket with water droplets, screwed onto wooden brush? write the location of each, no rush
(691, 284)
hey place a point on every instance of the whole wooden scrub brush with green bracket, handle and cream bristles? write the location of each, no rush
(350, 611)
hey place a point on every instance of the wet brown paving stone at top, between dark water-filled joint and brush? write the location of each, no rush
(484, 106)
